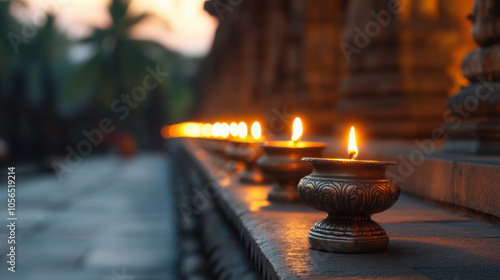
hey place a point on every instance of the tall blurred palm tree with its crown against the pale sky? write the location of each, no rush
(118, 64)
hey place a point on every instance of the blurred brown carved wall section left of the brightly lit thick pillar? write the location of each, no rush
(273, 58)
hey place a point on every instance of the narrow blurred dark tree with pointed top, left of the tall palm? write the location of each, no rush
(42, 57)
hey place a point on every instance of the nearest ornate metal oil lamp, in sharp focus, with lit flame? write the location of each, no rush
(350, 191)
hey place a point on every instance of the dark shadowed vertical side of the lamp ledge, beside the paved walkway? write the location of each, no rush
(210, 249)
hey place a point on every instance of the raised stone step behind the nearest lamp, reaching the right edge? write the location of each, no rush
(463, 180)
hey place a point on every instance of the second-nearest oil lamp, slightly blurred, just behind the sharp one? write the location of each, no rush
(282, 163)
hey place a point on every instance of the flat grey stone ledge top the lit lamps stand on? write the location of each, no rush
(426, 240)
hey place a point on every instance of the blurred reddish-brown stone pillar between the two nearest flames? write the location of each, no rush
(323, 64)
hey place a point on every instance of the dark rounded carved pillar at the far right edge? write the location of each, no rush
(472, 118)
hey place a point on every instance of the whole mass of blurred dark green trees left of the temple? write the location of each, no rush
(52, 88)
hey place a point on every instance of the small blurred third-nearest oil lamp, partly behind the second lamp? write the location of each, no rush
(247, 151)
